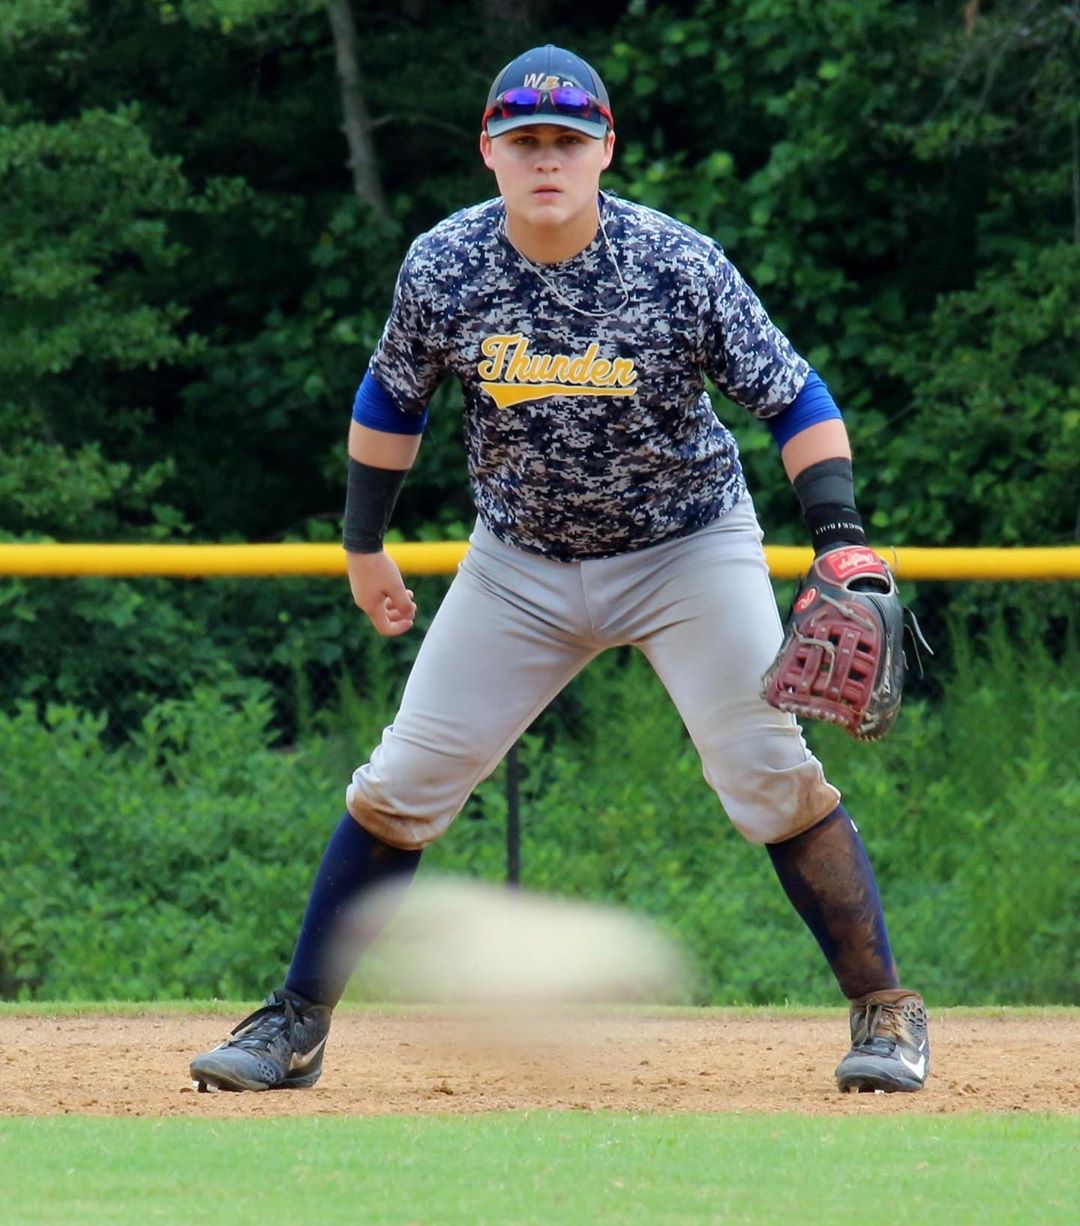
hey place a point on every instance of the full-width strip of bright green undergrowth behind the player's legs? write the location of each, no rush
(178, 862)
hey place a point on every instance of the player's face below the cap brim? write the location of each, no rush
(549, 176)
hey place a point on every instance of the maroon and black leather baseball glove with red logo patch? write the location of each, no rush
(843, 654)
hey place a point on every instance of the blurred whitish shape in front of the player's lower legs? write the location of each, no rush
(453, 941)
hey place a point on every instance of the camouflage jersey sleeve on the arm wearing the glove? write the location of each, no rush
(745, 354)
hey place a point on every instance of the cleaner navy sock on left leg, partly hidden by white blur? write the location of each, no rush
(328, 948)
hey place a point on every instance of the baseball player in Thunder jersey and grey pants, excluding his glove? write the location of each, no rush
(612, 511)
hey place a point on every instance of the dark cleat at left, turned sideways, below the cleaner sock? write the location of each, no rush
(278, 1048)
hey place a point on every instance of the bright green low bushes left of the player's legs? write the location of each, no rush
(172, 865)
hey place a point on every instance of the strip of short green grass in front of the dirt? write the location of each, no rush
(544, 1169)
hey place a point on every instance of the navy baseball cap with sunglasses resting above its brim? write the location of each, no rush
(549, 69)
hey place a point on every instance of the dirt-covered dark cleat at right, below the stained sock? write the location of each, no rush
(891, 1046)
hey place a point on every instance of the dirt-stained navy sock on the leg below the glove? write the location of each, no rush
(828, 876)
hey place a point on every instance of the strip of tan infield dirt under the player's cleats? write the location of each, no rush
(446, 1062)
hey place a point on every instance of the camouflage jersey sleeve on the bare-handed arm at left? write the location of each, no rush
(409, 360)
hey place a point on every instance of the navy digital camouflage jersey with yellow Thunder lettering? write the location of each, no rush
(588, 435)
